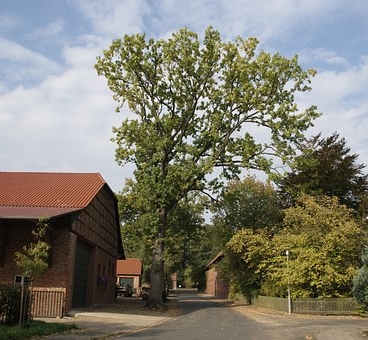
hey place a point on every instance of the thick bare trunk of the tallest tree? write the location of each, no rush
(155, 299)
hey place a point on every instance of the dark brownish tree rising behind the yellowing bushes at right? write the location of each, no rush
(327, 167)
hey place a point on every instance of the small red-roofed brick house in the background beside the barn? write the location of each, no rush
(130, 271)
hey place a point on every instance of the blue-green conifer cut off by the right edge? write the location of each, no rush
(360, 281)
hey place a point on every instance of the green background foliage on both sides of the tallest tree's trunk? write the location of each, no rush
(183, 238)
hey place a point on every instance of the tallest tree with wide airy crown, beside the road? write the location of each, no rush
(191, 106)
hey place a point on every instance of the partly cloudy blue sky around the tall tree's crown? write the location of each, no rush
(56, 114)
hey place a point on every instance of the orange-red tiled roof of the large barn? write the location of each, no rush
(29, 194)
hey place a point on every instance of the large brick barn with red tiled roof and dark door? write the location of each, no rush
(84, 235)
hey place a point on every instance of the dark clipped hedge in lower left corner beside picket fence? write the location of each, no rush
(10, 298)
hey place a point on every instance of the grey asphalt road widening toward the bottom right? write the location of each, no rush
(205, 319)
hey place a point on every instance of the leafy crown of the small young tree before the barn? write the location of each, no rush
(34, 259)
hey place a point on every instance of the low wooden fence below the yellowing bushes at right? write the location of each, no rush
(332, 306)
